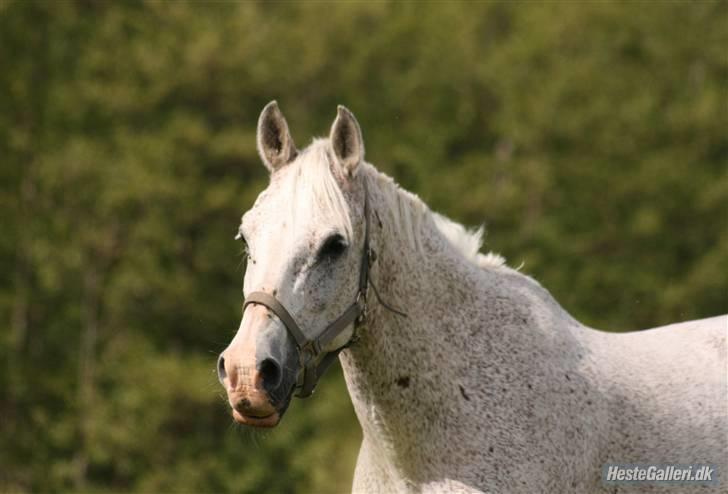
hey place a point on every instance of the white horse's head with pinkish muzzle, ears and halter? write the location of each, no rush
(305, 283)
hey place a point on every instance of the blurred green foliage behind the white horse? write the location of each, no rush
(590, 137)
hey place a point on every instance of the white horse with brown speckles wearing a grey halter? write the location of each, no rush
(487, 384)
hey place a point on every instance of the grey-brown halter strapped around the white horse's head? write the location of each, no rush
(310, 349)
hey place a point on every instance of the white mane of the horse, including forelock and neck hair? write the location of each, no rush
(407, 211)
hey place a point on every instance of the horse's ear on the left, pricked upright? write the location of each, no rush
(275, 144)
